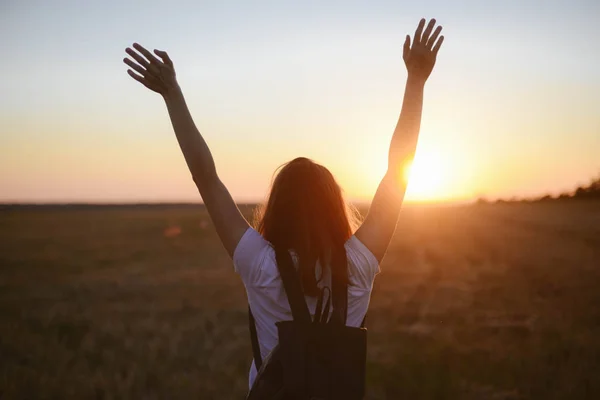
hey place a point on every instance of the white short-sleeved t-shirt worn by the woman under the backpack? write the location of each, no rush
(254, 261)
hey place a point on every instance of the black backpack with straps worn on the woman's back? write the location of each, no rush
(319, 359)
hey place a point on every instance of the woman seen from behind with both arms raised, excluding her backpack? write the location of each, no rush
(305, 212)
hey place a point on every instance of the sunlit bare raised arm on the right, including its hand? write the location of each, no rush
(380, 223)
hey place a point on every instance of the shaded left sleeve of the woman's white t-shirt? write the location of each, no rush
(248, 256)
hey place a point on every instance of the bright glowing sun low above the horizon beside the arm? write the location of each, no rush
(425, 176)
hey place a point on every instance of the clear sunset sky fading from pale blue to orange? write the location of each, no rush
(512, 107)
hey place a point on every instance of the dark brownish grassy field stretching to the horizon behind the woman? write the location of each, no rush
(473, 302)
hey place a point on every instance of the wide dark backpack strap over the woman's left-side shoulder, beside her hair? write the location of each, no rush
(292, 286)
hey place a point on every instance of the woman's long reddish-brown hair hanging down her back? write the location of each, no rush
(306, 212)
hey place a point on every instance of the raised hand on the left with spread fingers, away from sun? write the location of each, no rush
(157, 75)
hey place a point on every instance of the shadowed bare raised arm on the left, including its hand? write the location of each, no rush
(158, 75)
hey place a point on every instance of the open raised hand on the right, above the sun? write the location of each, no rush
(420, 57)
